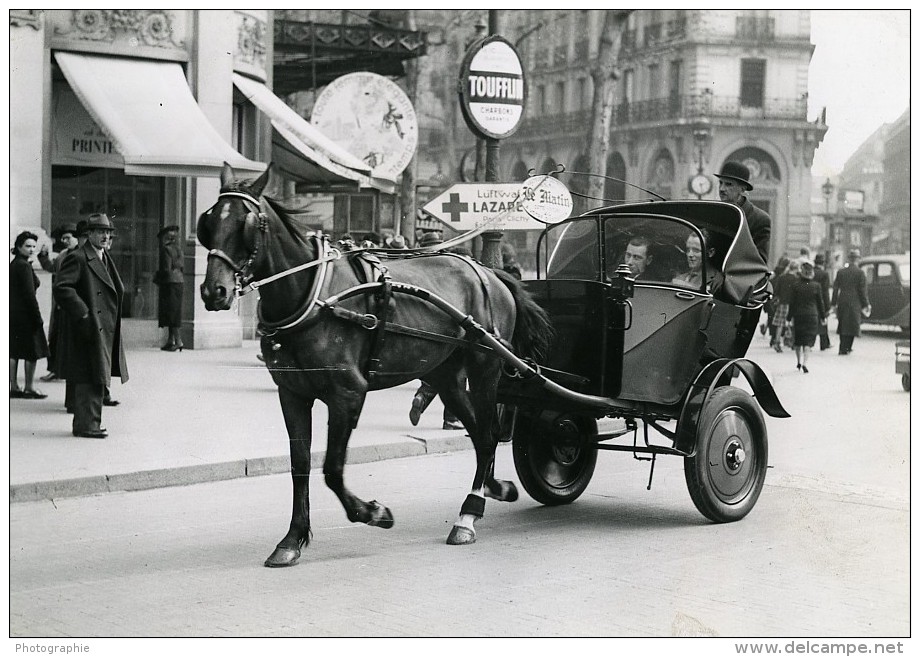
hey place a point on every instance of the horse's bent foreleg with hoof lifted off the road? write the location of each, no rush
(345, 404)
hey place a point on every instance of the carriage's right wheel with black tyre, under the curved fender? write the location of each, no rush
(727, 473)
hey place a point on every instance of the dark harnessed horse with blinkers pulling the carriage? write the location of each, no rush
(335, 325)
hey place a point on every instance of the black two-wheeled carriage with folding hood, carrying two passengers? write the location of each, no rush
(650, 350)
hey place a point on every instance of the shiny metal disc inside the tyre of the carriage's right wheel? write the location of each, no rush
(732, 456)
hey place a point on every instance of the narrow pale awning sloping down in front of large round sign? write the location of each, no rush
(301, 150)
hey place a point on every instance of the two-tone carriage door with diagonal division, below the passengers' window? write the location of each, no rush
(663, 346)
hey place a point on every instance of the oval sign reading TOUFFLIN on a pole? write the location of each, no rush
(492, 88)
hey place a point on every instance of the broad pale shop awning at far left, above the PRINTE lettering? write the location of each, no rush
(147, 109)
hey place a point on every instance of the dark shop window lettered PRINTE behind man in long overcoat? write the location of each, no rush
(135, 205)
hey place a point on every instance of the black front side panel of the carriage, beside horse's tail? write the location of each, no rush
(577, 312)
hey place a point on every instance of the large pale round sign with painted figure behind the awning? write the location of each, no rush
(372, 118)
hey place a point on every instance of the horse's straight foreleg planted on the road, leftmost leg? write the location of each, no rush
(298, 417)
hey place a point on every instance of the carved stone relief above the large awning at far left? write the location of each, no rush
(150, 27)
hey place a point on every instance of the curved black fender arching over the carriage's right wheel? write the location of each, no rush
(719, 373)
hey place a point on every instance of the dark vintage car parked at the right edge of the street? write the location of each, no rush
(888, 284)
